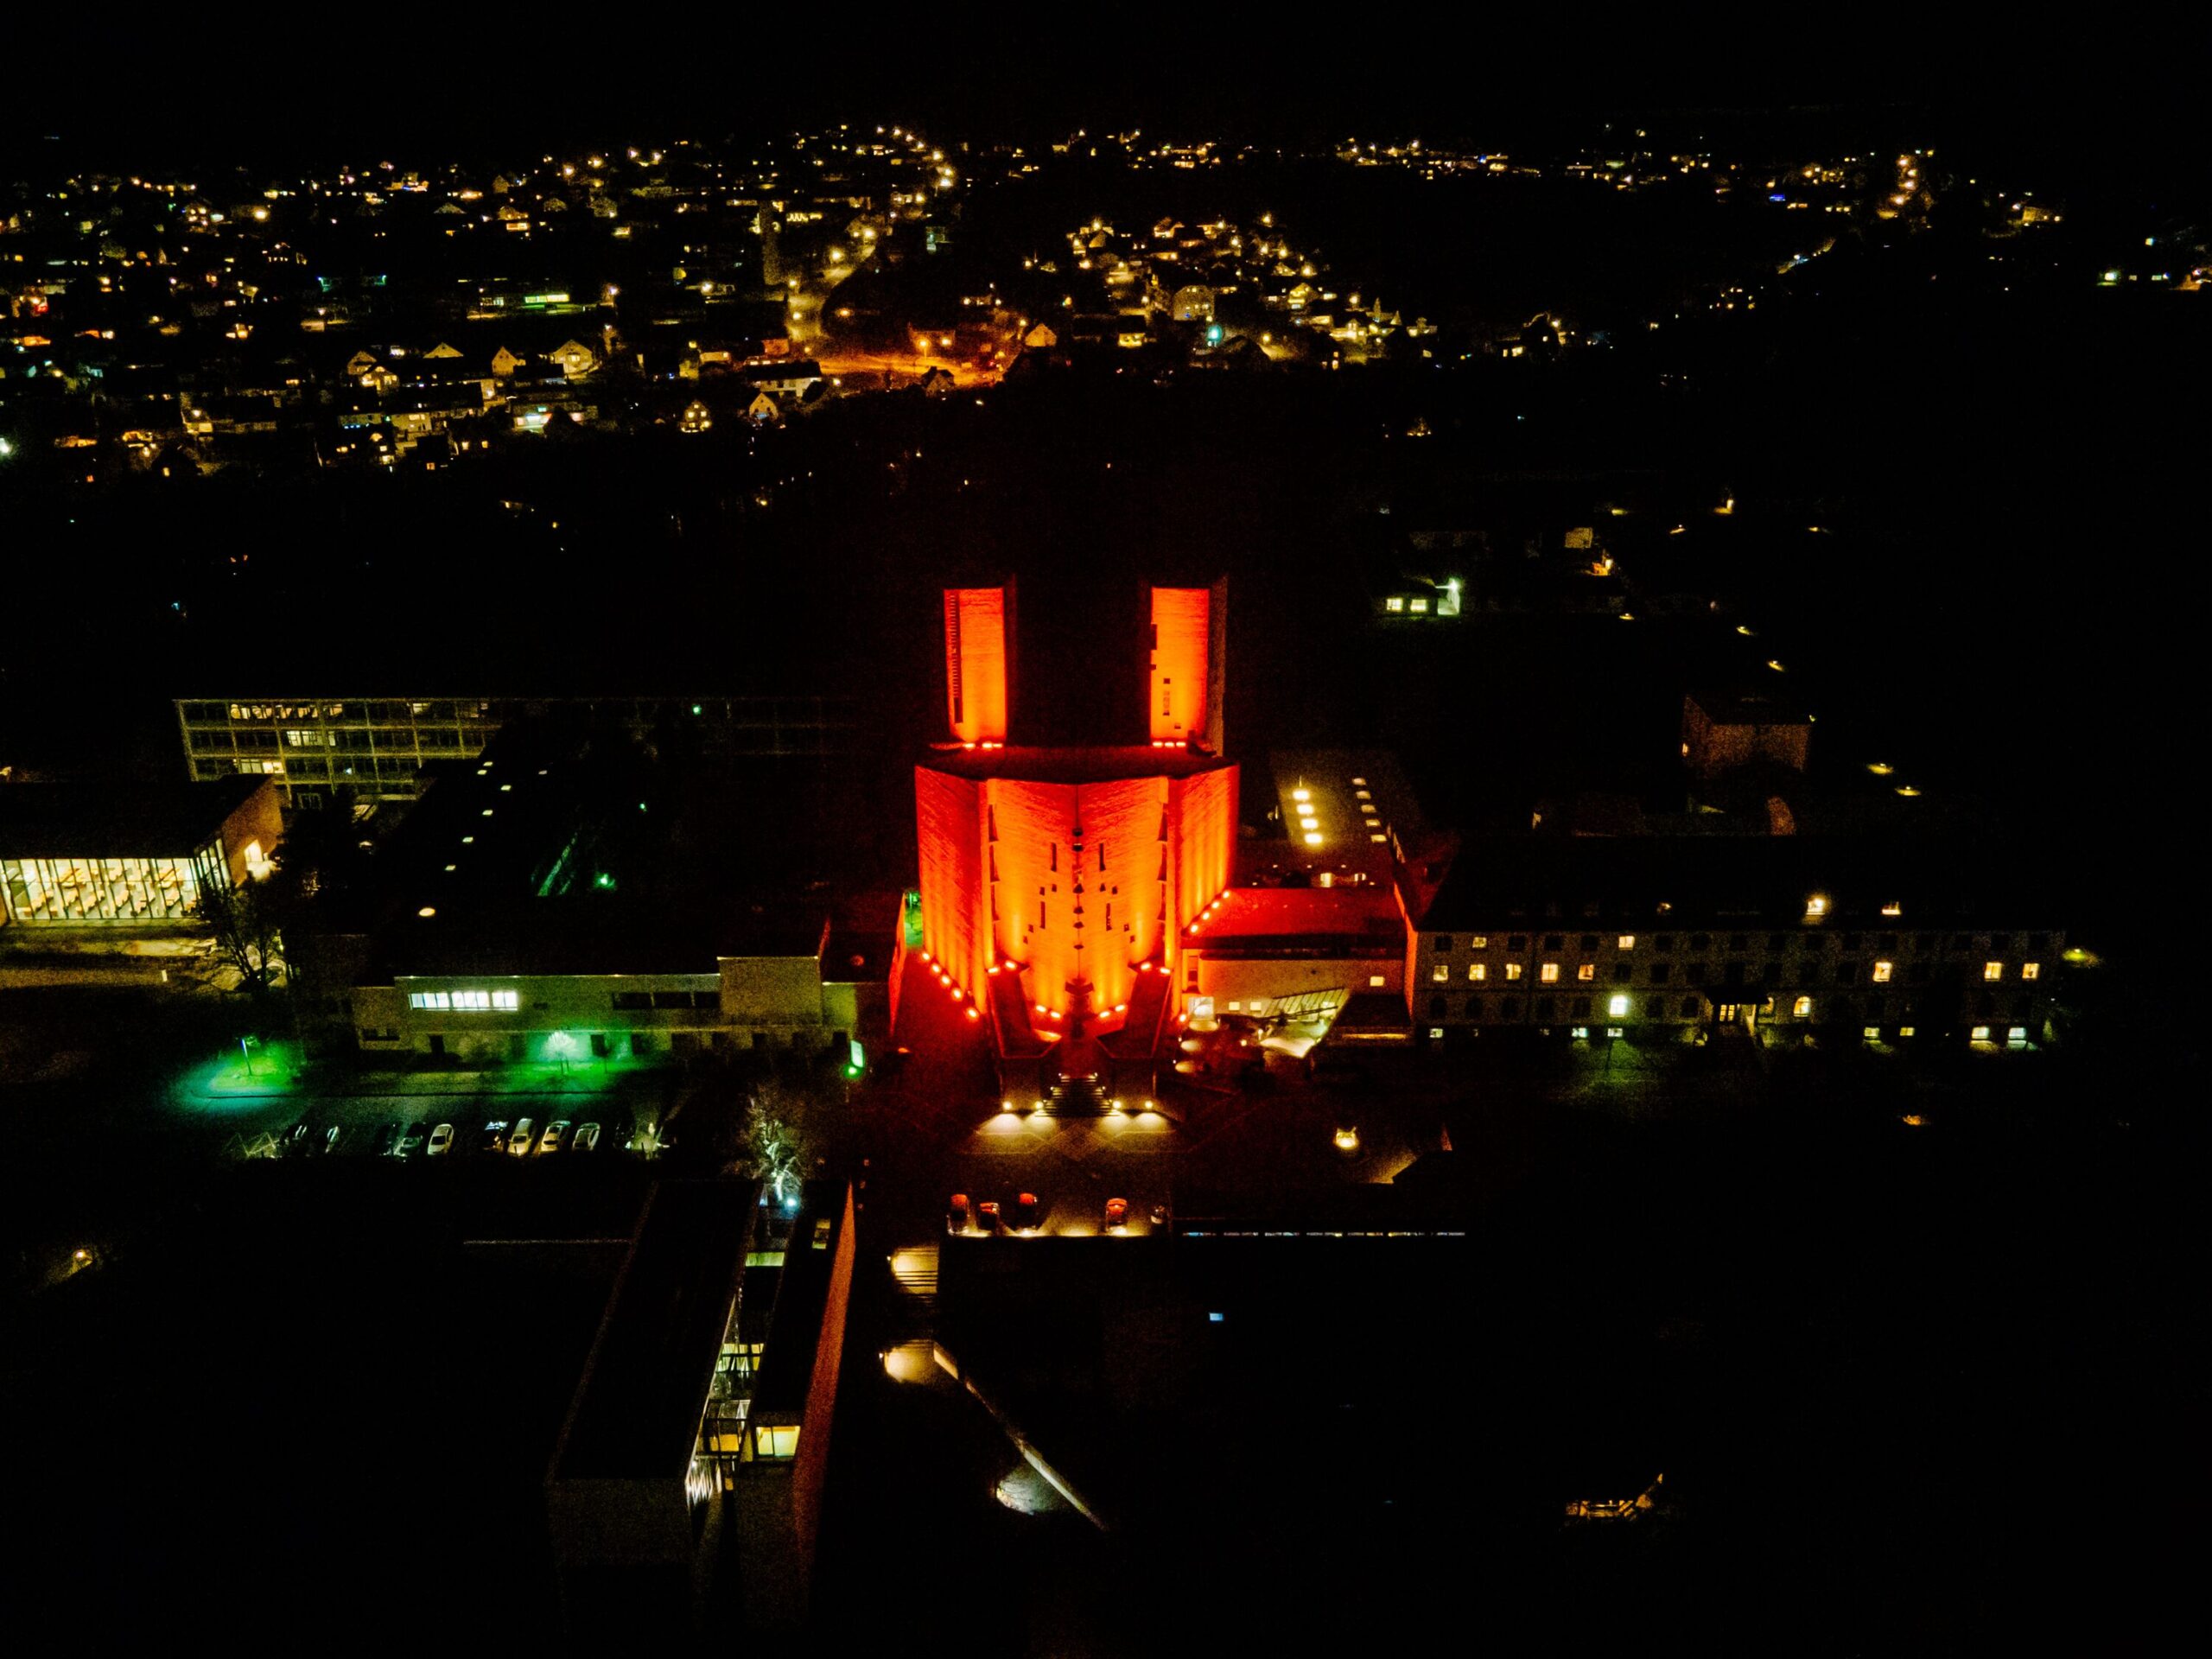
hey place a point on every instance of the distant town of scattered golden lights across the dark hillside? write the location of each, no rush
(404, 317)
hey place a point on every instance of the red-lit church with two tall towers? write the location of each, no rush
(1061, 879)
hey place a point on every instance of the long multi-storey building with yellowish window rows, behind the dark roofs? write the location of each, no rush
(373, 749)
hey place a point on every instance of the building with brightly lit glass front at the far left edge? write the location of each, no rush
(129, 855)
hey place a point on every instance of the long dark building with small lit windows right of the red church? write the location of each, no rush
(1879, 941)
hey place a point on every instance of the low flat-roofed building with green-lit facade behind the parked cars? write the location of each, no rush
(565, 899)
